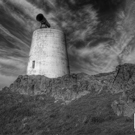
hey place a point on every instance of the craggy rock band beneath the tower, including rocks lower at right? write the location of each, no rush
(74, 86)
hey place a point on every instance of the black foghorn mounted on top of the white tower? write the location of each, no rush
(43, 21)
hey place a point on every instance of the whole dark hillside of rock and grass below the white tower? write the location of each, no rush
(77, 104)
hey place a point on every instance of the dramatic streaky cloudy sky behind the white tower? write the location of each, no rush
(100, 33)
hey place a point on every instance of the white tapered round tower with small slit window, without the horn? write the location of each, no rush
(48, 55)
